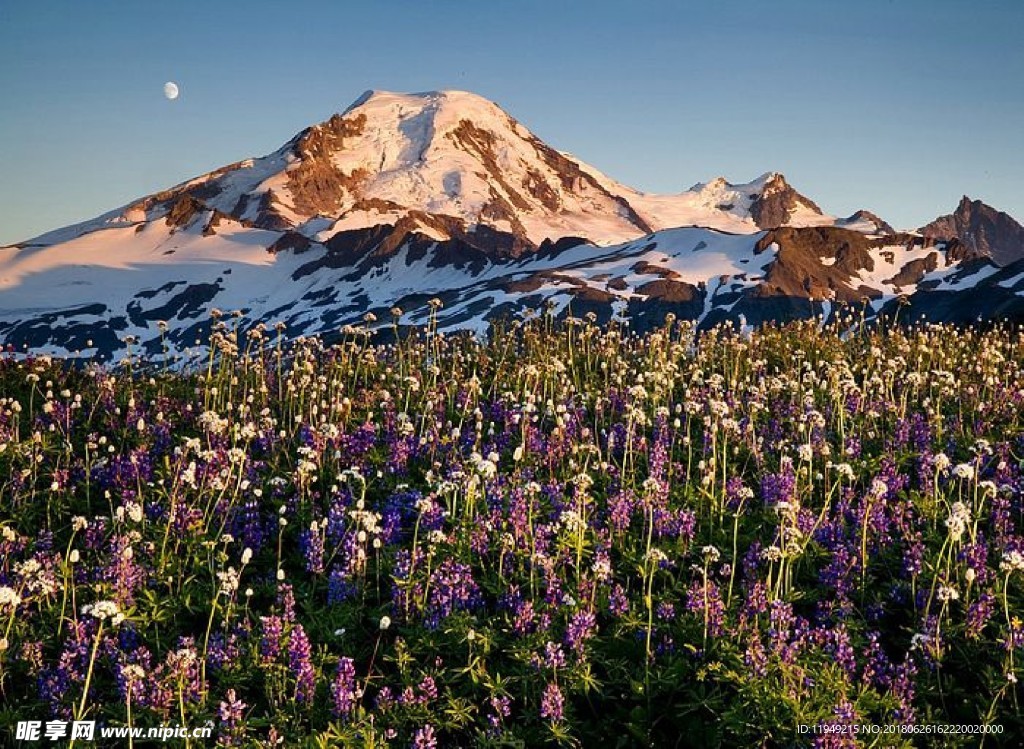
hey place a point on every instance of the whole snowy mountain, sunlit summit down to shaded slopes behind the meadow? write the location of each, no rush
(406, 197)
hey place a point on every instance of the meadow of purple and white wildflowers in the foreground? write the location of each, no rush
(566, 534)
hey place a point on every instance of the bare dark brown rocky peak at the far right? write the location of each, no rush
(983, 230)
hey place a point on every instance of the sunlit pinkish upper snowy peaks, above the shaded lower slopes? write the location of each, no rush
(457, 157)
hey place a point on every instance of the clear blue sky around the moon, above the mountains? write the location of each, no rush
(895, 106)
